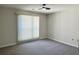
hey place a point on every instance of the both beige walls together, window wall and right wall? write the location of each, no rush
(61, 26)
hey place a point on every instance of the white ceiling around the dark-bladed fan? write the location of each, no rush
(30, 7)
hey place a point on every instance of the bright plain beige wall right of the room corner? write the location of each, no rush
(64, 26)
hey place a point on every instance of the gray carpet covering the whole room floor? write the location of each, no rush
(40, 47)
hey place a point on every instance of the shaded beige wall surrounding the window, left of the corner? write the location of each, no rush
(8, 25)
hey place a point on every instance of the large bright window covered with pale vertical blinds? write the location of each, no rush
(28, 27)
